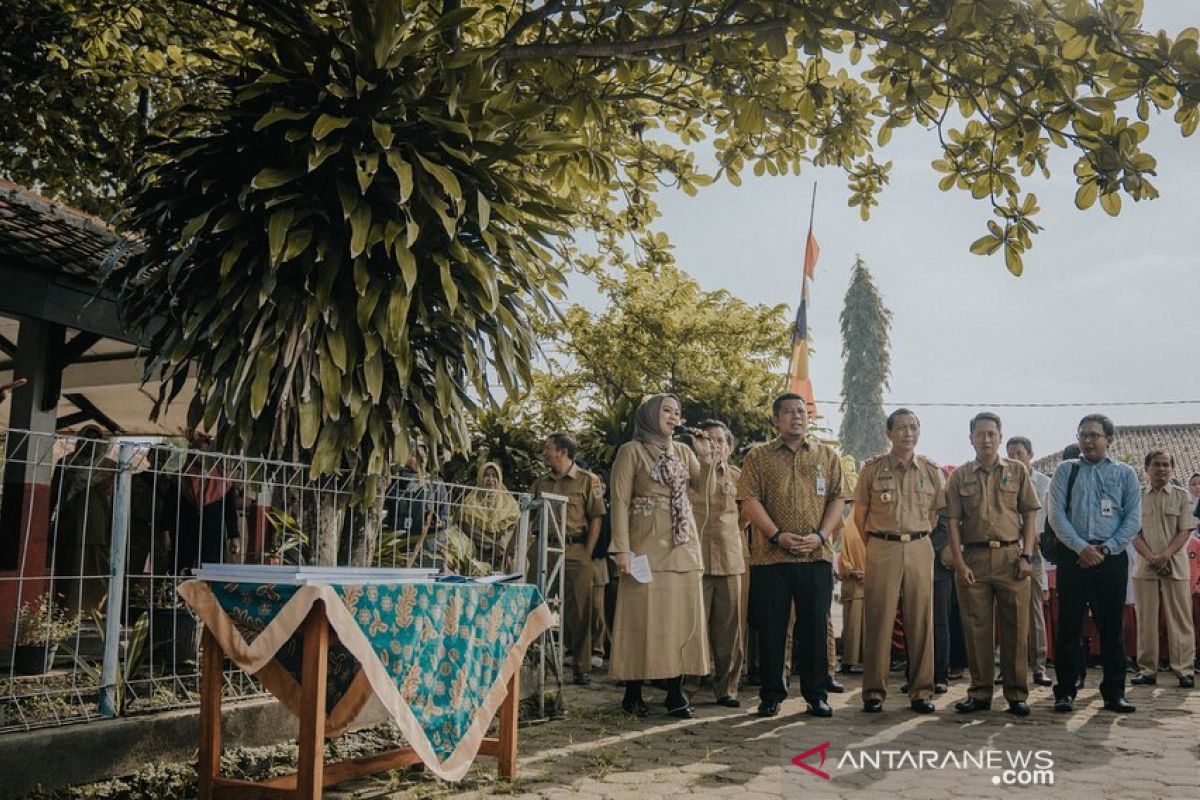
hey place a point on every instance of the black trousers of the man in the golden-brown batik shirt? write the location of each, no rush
(775, 591)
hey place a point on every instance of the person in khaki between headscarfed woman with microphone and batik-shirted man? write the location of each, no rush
(716, 510)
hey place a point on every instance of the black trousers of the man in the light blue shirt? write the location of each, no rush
(1102, 590)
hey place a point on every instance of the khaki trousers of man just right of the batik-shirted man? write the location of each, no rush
(898, 574)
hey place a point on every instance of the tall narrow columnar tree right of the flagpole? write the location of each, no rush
(866, 340)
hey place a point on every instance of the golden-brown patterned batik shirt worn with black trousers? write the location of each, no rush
(795, 488)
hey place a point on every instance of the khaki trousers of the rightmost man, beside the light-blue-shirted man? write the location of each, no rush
(1173, 597)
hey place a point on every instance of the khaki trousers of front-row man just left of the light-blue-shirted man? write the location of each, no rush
(997, 593)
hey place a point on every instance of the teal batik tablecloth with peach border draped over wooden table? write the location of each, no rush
(439, 657)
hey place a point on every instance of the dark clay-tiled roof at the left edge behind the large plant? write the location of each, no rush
(47, 236)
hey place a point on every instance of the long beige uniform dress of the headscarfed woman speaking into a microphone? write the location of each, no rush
(659, 630)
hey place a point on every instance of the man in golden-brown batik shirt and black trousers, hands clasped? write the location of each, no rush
(794, 492)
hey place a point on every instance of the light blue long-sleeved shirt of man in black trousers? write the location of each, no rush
(1106, 506)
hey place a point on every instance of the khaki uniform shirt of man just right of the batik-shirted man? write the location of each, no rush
(899, 498)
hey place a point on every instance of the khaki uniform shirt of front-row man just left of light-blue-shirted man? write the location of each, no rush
(989, 503)
